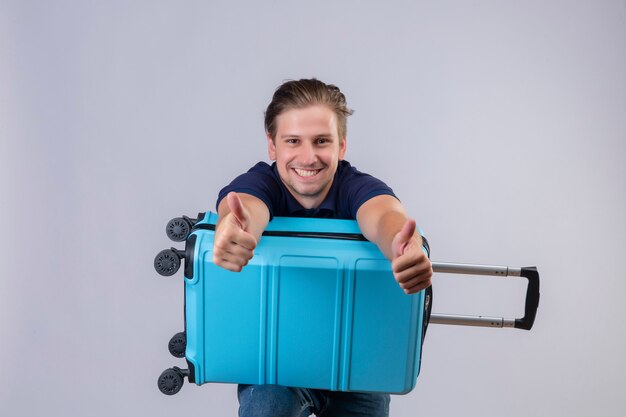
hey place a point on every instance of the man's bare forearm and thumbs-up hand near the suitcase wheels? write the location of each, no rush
(242, 220)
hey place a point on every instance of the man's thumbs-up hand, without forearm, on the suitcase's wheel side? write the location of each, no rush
(234, 244)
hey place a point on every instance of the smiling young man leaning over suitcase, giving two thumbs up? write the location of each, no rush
(306, 137)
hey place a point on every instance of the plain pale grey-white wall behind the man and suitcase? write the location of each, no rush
(500, 124)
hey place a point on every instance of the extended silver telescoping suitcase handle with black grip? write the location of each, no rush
(532, 295)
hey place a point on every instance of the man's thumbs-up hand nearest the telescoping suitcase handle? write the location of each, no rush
(410, 265)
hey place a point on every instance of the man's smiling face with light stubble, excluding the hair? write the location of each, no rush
(307, 150)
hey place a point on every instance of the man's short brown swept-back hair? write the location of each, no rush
(303, 93)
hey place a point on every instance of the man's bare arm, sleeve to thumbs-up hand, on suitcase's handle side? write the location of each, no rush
(383, 221)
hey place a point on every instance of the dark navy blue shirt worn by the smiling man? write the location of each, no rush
(349, 190)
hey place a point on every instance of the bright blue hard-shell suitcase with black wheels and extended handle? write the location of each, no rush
(316, 307)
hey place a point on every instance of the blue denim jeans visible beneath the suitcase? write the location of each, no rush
(279, 401)
